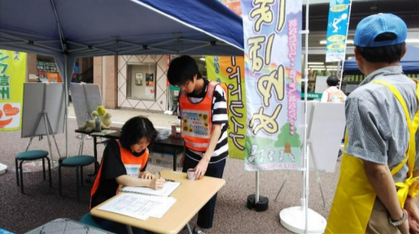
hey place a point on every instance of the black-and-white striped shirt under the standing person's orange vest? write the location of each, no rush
(219, 116)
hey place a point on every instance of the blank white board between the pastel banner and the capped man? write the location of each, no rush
(326, 126)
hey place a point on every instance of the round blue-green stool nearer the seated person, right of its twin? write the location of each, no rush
(78, 162)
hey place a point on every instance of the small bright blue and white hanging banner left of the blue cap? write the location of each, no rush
(337, 30)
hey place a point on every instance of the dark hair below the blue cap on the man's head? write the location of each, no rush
(384, 54)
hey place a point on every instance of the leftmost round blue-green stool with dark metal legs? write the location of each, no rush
(29, 156)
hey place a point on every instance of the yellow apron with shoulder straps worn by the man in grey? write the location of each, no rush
(354, 197)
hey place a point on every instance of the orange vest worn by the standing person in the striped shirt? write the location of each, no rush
(196, 125)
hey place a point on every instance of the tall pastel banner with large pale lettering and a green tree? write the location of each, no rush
(273, 83)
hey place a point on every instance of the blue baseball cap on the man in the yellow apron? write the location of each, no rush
(372, 26)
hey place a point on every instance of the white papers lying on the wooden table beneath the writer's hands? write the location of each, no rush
(139, 206)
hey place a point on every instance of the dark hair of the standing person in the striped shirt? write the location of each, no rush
(182, 69)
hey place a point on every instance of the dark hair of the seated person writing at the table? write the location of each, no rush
(135, 129)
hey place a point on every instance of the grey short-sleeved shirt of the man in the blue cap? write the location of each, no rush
(375, 120)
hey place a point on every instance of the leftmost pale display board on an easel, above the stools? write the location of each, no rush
(39, 98)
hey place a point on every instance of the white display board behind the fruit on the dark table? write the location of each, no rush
(86, 98)
